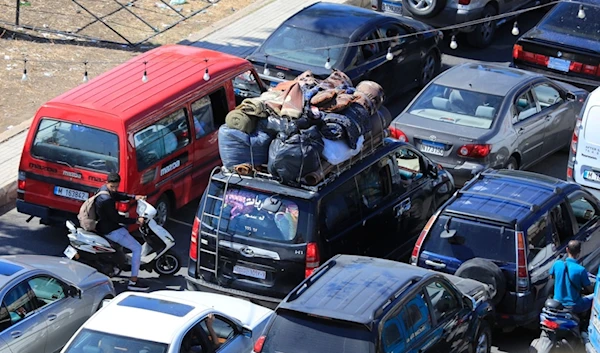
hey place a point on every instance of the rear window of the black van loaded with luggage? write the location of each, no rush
(253, 214)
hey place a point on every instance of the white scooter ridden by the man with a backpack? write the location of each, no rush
(110, 259)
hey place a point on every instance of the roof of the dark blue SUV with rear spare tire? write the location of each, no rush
(507, 196)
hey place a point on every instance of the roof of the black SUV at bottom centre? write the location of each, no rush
(352, 288)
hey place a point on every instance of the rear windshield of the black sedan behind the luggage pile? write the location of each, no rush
(286, 42)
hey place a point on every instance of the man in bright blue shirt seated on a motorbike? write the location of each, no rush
(570, 278)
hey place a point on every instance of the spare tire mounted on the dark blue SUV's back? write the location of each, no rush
(487, 272)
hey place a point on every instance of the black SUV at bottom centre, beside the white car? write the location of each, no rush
(356, 304)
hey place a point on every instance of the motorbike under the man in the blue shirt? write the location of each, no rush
(560, 330)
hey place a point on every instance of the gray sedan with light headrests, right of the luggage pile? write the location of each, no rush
(475, 116)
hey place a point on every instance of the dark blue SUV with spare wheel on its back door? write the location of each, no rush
(507, 228)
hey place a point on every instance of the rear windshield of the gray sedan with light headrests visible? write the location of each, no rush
(457, 106)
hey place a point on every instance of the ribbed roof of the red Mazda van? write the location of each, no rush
(172, 71)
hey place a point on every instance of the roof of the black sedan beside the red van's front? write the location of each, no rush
(334, 19)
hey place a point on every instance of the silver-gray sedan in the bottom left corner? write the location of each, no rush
(45, 300)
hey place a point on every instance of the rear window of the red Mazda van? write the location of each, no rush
(76, 146)
